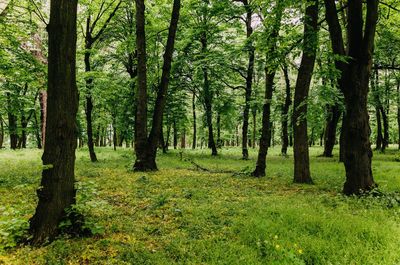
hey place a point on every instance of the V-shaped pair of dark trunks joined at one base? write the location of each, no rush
(146, 154)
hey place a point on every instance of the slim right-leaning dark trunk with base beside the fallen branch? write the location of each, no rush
(270, 71)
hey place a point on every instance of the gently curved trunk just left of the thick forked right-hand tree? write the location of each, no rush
(301, 154)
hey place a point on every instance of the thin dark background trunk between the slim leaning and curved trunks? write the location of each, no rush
(285, 111)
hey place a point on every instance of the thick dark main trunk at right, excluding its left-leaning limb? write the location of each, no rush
(357, 146)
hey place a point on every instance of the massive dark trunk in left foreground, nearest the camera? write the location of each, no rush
(57, 192)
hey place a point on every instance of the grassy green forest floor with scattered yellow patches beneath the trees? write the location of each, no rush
(183, 215)
